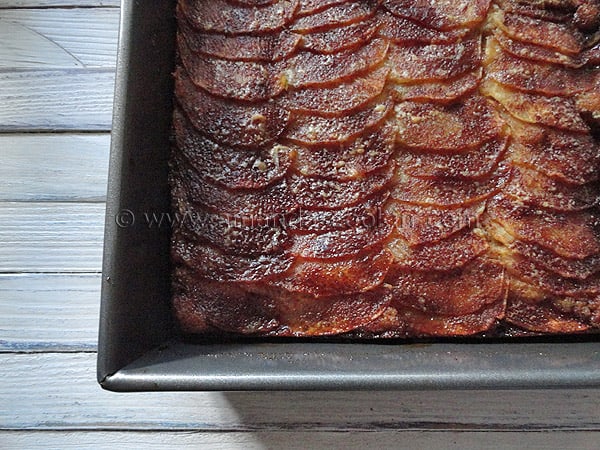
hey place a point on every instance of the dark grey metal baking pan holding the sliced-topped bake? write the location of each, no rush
(139, 349)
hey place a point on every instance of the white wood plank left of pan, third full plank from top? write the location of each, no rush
(54, 167)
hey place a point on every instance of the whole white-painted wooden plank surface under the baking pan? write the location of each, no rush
(57, 61)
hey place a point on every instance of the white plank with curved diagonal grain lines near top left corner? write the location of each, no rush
(58, 37)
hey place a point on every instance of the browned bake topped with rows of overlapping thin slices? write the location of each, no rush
(386, 168)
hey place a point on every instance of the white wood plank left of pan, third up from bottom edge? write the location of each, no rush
(49, 312)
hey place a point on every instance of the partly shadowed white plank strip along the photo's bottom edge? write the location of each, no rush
(300, 440)
